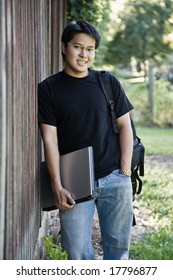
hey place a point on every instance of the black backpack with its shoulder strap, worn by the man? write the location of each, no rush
(137, 165)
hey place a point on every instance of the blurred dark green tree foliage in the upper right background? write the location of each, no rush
(141, 31)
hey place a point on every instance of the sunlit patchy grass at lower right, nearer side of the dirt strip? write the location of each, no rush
(157, 198)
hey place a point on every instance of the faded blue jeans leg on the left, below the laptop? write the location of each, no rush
(76, 231)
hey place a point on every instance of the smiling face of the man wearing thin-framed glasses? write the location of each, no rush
(79, 55)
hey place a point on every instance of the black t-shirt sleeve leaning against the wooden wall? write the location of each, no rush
(46, 112)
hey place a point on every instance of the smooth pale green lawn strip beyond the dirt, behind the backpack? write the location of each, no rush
(157, 141)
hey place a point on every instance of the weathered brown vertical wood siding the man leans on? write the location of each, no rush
(29, 51)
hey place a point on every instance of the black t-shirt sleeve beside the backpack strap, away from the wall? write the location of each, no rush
(121, 101)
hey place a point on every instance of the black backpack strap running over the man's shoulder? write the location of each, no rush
(105, 86)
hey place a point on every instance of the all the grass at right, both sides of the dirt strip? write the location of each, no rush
(157, 199)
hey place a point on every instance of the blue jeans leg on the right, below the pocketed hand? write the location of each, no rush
(115, 210)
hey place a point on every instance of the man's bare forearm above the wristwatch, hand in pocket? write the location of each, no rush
(126, 141)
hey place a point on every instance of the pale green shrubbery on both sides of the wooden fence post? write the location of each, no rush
(162, 100)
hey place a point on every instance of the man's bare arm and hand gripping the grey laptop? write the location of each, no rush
(62, 197)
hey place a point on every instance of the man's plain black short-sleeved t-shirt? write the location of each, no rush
(79, 110)
